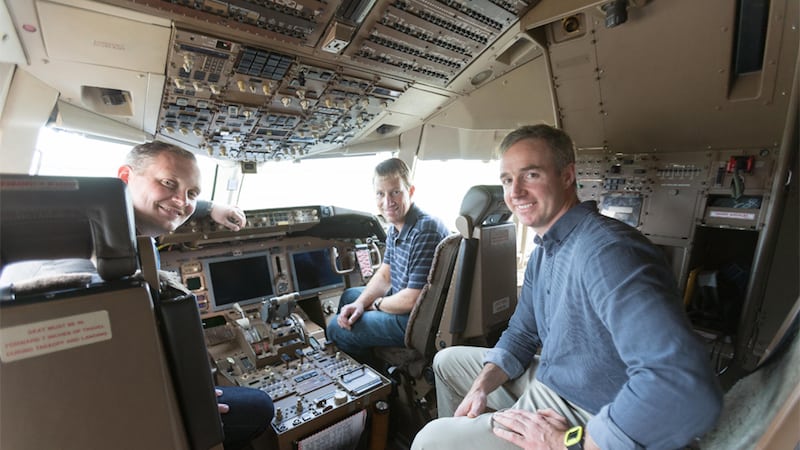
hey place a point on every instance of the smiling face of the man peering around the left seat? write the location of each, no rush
(164, 192)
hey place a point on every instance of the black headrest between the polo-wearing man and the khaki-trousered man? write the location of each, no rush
(482, 206)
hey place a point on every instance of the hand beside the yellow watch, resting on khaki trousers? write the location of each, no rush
(541, 430)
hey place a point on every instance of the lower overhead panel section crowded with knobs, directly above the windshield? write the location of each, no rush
(245, 103)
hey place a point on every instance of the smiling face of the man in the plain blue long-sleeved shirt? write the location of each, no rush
(533, 187)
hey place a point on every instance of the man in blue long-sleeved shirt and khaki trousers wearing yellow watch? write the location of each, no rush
(619, 365)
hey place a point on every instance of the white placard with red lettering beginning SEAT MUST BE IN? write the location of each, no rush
(54, 335)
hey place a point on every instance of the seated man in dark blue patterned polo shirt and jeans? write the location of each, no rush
(376, 315)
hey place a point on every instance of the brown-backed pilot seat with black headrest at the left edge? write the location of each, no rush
(89, 351)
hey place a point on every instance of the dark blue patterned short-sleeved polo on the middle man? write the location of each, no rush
(409, 252)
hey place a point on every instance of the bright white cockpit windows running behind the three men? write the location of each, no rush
(345, 182)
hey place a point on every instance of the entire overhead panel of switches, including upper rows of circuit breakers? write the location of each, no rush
(262, 80)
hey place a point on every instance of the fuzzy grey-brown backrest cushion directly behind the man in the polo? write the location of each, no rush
(426, 314)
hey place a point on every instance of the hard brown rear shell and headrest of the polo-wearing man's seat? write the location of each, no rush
(486, 283)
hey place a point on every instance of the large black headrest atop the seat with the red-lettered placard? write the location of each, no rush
(47, 218)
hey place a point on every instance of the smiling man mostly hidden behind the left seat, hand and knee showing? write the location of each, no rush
(164, 183)
